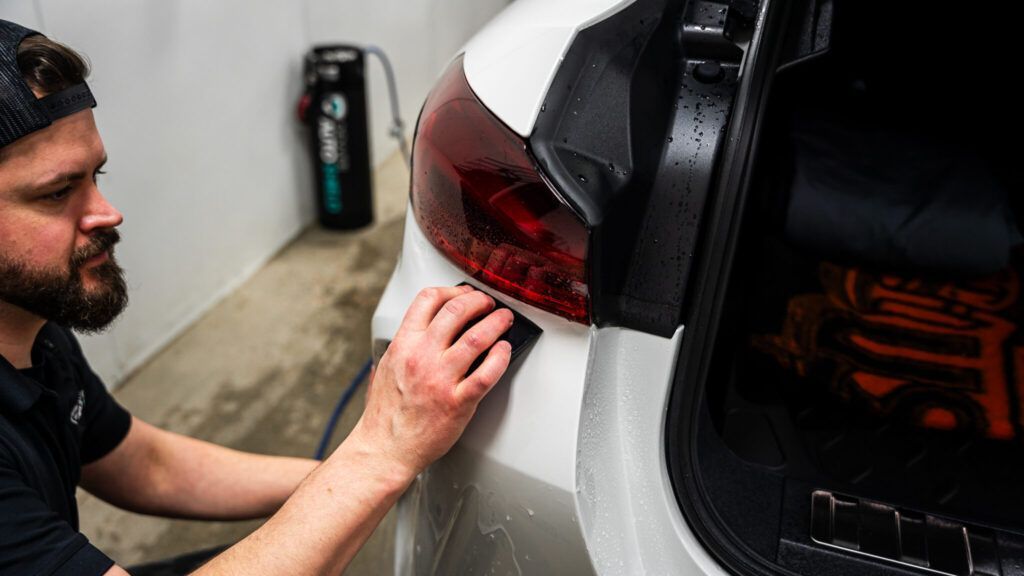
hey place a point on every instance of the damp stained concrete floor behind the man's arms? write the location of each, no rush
(263, 371)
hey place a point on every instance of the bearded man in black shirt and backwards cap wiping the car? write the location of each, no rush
(60, 429)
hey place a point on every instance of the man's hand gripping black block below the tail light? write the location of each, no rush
(421, 397)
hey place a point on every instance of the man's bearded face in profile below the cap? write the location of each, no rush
(57, 230)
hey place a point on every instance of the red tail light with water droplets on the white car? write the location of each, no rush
(480, 197)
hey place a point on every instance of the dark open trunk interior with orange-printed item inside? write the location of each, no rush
(864, 406)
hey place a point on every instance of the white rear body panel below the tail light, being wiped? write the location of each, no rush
(504, 498)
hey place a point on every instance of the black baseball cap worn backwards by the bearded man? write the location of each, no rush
(21, 112)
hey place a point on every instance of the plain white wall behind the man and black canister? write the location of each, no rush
(197, 109)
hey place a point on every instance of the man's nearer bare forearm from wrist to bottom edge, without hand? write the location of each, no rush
(326, 521)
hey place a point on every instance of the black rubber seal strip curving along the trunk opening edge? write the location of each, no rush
(708, 296)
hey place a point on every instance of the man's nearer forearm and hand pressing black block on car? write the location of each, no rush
(418, 405)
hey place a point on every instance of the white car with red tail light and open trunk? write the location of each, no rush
(701, 401)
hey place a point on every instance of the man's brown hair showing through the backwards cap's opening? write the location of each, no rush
(50, 67)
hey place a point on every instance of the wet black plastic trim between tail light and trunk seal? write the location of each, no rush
(623, 137)
